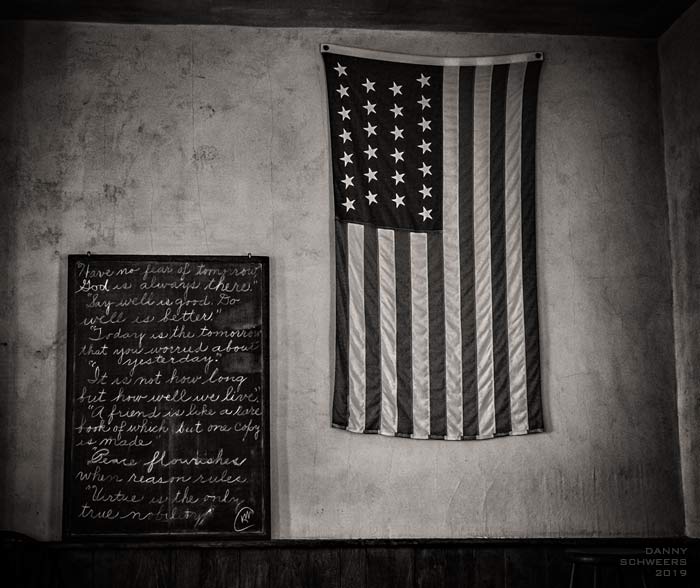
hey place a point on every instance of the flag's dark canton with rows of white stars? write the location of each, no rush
(386, 142)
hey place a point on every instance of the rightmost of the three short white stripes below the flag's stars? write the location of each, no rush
(420, 335)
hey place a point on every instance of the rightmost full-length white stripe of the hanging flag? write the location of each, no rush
(516, 320)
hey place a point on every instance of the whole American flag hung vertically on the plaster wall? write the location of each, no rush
(436, 288)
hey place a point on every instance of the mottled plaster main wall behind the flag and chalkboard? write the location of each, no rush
(144, 139)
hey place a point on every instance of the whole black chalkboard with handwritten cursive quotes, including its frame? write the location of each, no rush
(167, 412)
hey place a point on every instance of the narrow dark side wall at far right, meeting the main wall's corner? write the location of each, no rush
(679, 49)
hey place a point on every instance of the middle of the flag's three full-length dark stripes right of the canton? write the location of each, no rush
(499, 281)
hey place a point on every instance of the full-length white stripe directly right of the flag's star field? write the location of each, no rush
(450, 233)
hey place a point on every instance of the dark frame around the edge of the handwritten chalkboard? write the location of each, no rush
(264, 532)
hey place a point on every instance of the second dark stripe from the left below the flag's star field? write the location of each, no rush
(373, 397)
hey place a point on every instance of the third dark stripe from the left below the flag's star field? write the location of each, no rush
(404, 371)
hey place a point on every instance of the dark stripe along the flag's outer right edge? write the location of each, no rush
(532, 336)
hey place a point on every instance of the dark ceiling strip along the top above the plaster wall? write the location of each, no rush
(633, 18)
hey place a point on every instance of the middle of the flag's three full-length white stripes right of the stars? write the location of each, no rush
(482, 250)
